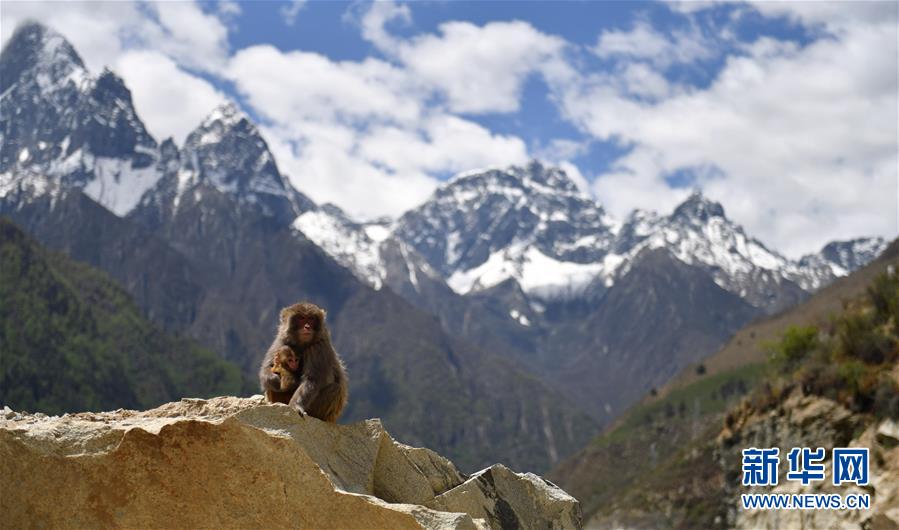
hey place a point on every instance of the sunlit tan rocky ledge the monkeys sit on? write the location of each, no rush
(241, 463)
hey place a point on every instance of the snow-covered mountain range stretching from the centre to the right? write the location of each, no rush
(531, 224)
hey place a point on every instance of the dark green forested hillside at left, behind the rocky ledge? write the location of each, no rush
(71, 339)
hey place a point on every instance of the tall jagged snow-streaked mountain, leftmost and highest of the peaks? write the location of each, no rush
(63, 128)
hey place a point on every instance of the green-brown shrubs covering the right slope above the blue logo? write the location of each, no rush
(849, 359)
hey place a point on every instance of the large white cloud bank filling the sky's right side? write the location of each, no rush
(805, 138)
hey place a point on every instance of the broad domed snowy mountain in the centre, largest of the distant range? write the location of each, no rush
(530, 223)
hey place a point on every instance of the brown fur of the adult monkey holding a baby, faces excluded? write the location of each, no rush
(321, 387)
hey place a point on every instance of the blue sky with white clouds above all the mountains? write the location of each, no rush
(786, 113)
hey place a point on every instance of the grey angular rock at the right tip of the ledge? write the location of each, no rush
(511, 500)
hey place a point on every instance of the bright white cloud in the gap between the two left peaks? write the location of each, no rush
(176, 100)
